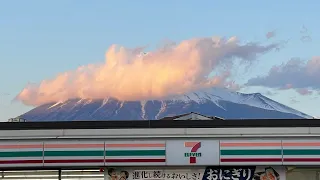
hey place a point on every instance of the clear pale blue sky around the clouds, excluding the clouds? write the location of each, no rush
(40, 38)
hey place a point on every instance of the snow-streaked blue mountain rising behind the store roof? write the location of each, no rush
(212, 102)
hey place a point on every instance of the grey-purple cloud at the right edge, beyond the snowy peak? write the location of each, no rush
(297, 74)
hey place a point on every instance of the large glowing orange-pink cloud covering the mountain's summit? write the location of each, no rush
(126, 74)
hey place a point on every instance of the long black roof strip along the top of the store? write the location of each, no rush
(160, 124)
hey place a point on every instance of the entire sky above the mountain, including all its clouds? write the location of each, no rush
(71, 44)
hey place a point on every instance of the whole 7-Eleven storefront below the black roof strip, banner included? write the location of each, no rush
(258, 153)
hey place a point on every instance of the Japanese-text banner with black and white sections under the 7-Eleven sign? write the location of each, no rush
(206, 173)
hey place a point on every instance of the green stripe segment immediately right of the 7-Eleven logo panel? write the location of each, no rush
(251, 152)
